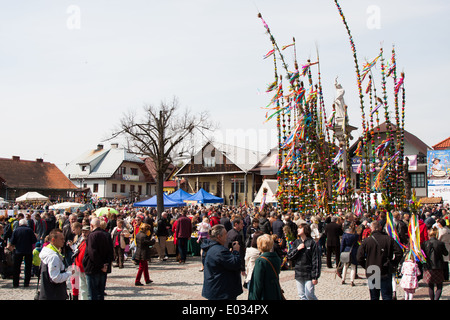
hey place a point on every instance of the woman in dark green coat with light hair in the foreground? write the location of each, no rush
(264, 284)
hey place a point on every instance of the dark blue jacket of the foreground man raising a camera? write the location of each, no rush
(222, 272)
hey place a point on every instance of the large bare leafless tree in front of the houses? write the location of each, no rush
(162, 133)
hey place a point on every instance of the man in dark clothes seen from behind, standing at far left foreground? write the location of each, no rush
(22, 241)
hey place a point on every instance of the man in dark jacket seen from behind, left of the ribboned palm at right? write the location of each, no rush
(379, 254)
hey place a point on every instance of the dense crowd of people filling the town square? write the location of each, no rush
(241, 248)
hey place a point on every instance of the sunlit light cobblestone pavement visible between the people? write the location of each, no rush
(172, 281)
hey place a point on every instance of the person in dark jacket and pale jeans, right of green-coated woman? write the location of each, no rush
(305, 255)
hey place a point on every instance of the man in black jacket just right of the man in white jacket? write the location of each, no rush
(97, 260)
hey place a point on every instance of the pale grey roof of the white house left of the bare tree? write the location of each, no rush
(102, 163)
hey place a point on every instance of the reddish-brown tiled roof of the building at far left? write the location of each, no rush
(28, 174)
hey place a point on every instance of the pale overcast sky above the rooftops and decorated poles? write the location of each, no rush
(69, 70)
